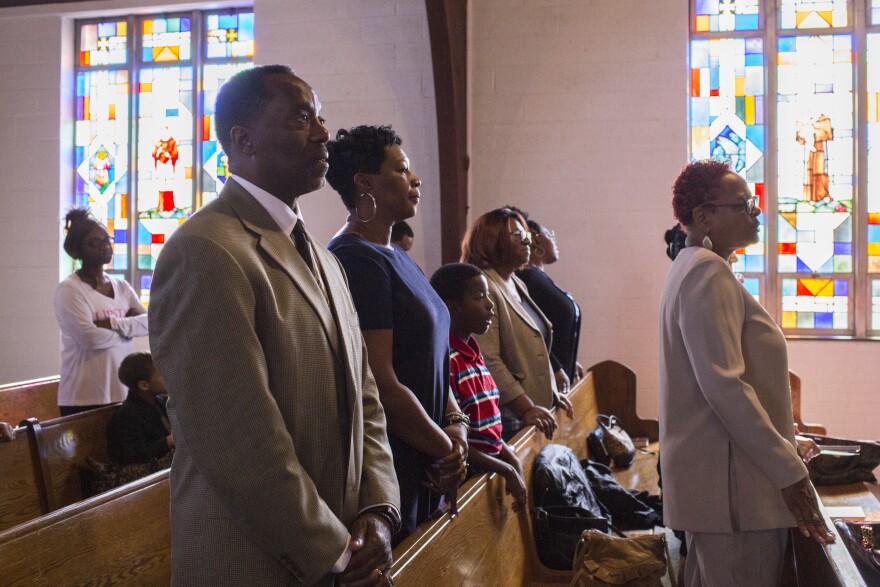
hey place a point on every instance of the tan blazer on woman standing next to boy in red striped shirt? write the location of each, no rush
(515, 352)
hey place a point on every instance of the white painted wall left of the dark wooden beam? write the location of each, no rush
(369, 61)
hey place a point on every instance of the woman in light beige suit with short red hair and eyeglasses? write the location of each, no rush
(732, 477)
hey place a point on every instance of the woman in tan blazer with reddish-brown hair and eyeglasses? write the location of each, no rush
(516, 345)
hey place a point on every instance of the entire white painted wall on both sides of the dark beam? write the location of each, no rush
(578, 111)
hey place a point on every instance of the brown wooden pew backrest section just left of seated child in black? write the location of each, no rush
(61, 445)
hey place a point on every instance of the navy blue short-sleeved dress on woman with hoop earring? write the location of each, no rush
(391, 292)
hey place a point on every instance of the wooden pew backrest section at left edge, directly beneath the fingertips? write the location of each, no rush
(19, 487)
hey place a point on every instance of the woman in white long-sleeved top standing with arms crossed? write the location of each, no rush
(98, 315)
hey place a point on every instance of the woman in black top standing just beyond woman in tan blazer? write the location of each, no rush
(556, 303)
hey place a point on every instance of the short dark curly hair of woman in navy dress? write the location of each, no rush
(360, 149)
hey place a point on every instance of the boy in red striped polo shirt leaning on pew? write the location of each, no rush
(464, 290)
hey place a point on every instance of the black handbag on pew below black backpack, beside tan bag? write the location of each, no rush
(558, 530)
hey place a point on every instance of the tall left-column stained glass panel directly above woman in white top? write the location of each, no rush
(101, 154)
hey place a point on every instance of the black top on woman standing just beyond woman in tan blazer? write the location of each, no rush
(562, 311)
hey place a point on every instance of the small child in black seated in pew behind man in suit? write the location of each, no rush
(139, 430)
